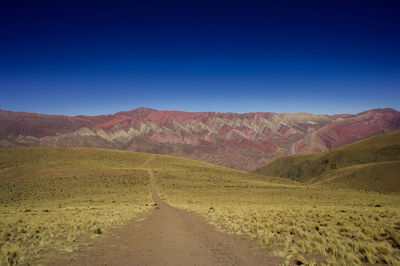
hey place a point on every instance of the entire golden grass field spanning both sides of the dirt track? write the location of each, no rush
(54, 200)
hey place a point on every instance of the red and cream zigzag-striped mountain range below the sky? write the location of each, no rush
(240, 141)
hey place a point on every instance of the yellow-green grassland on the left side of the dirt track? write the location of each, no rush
(53, 201)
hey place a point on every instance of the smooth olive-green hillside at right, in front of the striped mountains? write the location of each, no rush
(370, 164)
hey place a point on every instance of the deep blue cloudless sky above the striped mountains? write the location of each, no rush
(100, 57)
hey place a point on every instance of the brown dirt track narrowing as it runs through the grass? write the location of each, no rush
(170, 236)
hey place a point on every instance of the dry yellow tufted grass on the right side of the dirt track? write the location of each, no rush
(309, 225)
